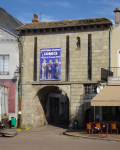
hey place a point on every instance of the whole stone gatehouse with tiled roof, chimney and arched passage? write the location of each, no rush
(84, 50)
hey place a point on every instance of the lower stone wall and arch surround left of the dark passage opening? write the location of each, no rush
(33, 108)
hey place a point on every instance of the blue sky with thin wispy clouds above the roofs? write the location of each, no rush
(55, 10)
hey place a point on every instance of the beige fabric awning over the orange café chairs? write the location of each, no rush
(109, 96)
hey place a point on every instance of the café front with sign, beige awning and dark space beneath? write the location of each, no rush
(109, 100)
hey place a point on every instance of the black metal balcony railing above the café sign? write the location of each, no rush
(112, 71)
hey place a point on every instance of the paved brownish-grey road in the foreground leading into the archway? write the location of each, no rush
(51, 138)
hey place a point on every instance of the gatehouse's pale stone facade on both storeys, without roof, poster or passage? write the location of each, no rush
(32, 111)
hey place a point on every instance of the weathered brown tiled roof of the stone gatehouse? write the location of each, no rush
(64, 23)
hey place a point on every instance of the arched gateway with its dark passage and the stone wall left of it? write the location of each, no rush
(46, 104)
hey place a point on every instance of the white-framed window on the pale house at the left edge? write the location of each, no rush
(4, 64)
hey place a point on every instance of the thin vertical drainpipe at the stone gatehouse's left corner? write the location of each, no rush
(20, 84)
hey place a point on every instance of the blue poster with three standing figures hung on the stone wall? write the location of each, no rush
(50, 64)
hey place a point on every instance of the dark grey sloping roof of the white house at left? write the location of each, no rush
(8, 22)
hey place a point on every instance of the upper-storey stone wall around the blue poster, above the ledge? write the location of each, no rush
(78, 57)
